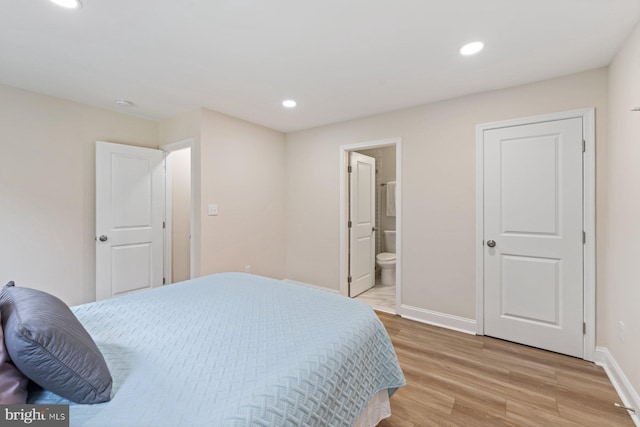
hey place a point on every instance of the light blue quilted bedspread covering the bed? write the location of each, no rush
(234, 349)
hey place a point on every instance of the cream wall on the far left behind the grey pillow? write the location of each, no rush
(47, 189)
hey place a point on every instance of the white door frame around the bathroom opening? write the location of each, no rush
(344, 210)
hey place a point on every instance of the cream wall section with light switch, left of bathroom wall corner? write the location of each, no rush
(243, 172)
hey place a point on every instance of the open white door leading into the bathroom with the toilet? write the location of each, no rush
(362, 213)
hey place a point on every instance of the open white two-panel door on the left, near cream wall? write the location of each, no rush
(129, 217)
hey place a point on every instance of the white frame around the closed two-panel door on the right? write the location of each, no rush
(588, 211)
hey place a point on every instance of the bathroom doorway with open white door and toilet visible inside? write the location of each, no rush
(370, 232)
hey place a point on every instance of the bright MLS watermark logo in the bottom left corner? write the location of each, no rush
(34, 415)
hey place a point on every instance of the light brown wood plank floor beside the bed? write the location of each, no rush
(456, 379)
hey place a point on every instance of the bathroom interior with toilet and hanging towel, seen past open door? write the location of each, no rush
(382, 296)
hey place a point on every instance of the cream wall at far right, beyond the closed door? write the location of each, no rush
(618, 272)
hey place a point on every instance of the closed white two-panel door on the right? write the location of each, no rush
(533, 232)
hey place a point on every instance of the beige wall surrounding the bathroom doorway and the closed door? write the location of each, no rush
(438, 177)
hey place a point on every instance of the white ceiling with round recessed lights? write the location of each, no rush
(339, 59)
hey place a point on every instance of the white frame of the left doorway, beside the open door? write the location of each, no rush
(194, 249)
